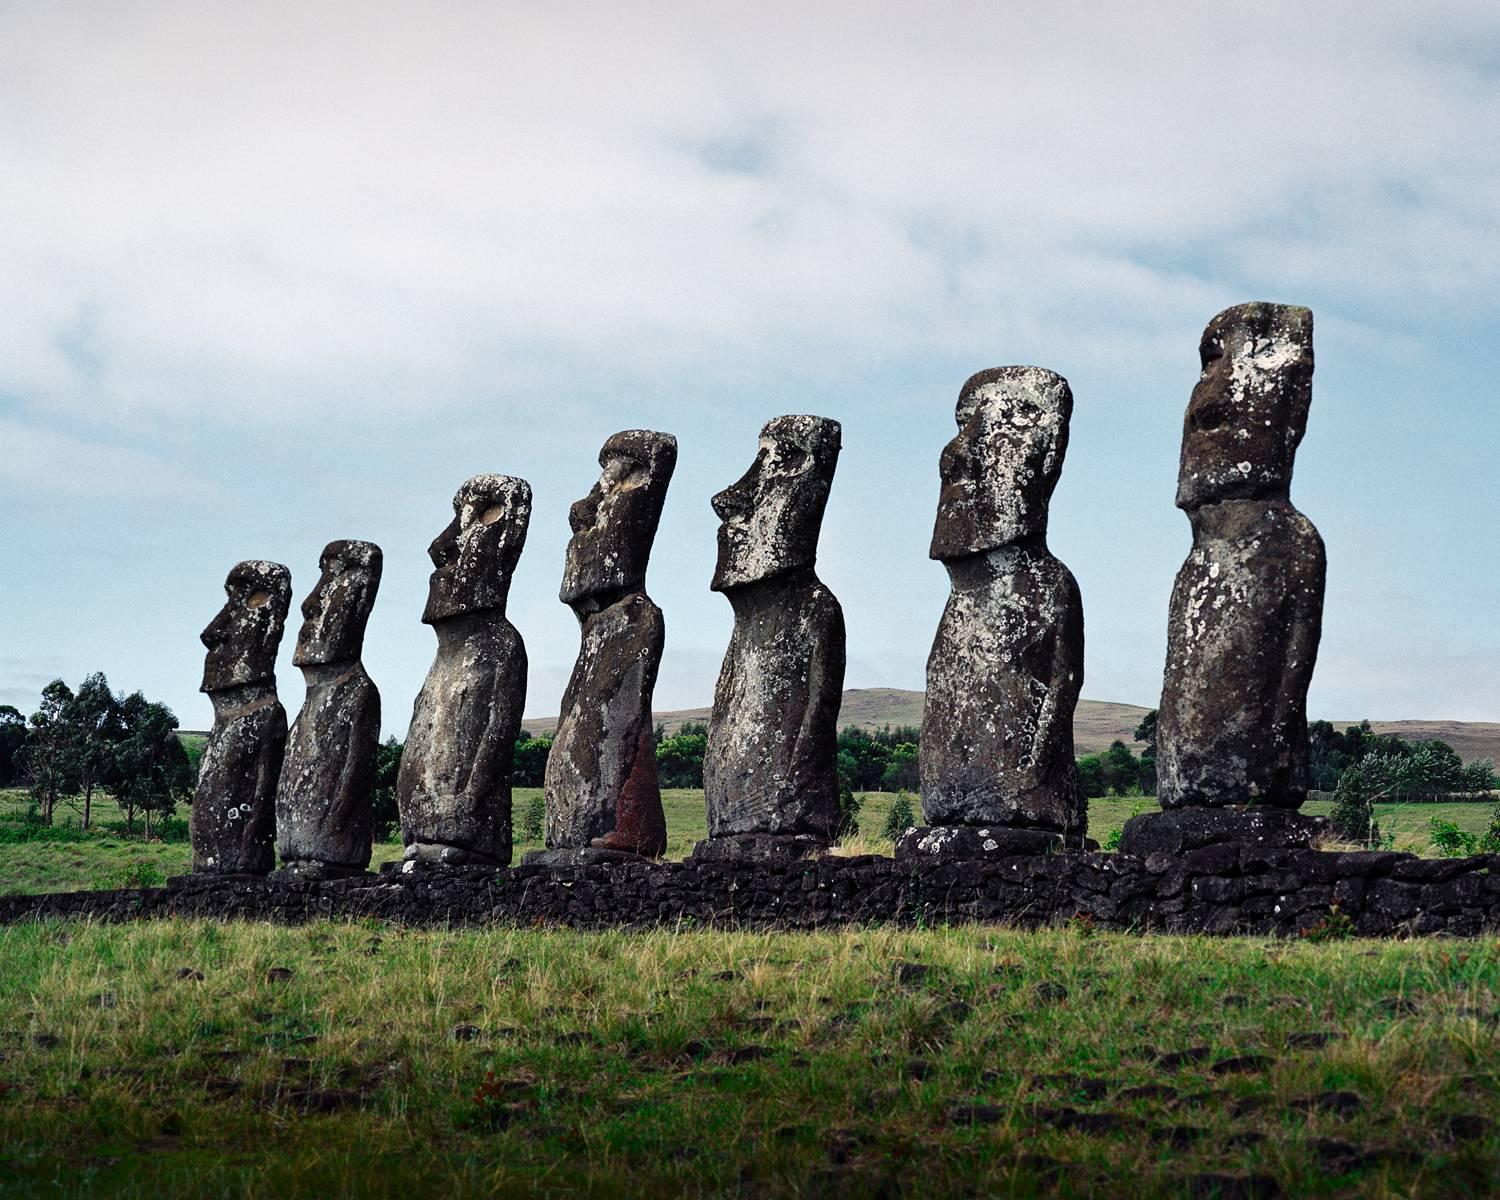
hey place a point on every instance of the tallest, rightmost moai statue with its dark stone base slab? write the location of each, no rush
(1247, 608)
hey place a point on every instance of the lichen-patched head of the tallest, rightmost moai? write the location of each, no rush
(1250, 407)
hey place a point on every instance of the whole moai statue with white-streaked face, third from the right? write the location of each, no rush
(770, 779)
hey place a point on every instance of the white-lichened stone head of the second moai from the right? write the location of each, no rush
(1000, 472)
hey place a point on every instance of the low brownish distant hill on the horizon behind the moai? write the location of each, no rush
(1096, 724)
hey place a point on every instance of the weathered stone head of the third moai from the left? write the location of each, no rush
(478, 553)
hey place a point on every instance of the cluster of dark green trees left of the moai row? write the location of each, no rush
(82, 745)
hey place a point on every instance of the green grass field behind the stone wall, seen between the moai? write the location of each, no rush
(106, 857)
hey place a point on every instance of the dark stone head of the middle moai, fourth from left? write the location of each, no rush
(616, 524)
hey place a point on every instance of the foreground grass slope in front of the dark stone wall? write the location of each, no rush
(401, 1063)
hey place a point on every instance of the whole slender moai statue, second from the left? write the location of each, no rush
(323, 800)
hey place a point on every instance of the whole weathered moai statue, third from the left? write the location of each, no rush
(455, 772)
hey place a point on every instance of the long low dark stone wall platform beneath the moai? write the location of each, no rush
(1223, 889)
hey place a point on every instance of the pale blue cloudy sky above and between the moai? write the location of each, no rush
(274, 275)
